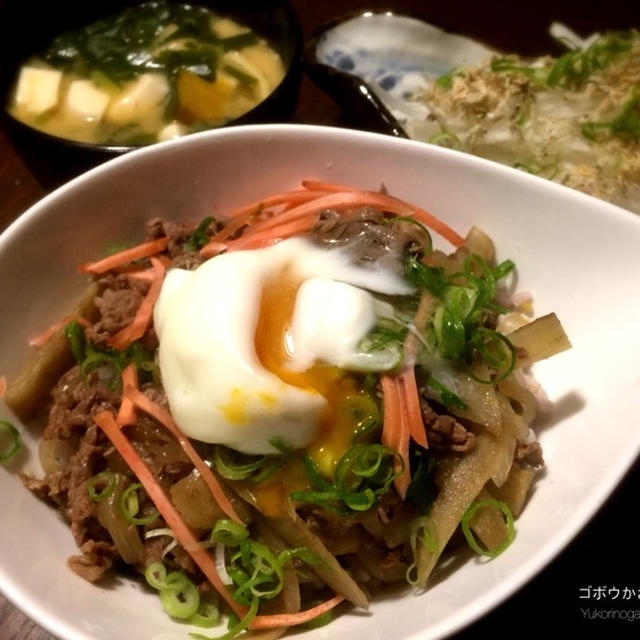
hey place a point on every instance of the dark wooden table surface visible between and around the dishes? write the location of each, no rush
(606, 552)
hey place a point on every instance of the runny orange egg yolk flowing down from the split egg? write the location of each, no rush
(335, 426)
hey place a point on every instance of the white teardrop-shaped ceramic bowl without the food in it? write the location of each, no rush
(578, 256)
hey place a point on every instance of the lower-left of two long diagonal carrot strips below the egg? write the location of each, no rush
(185, 536)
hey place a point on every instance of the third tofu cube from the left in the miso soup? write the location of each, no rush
(141, 99)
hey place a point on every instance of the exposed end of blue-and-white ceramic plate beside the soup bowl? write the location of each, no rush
(390, 55)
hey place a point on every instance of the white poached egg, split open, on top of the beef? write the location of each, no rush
(254, 344)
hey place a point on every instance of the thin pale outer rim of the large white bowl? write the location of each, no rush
(570, 529)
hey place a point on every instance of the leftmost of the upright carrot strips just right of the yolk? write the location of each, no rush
(395, 429)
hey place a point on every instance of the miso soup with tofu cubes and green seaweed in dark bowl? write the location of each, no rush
(152, 72)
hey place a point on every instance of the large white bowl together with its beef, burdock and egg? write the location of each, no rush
(242, 401)
